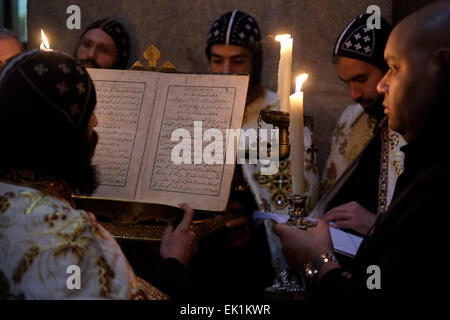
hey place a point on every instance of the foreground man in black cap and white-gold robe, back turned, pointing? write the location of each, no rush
(48, 139)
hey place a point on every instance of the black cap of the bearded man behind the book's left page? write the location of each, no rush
(120, 36)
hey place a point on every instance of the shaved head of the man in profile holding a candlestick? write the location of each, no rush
(416, 86)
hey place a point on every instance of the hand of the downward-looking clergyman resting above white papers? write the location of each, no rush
(352, 216)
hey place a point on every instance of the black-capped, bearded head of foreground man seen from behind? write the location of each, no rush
(46, 102)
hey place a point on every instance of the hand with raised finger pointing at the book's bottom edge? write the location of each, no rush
(180, 243)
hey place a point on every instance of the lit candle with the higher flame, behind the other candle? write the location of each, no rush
(284, 70)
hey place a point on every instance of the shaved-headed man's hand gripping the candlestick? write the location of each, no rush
(302, 246)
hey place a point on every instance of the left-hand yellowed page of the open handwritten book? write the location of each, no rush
(124, 108)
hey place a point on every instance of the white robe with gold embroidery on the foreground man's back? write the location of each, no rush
(41, 235)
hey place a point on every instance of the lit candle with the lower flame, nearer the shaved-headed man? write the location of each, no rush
(296, 136)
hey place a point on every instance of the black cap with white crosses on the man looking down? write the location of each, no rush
(357, 41)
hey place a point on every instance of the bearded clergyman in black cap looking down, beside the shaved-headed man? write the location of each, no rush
(362, 143)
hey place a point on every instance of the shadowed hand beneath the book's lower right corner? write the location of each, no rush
(238, 234)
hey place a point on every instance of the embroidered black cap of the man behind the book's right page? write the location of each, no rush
(239, 29)
